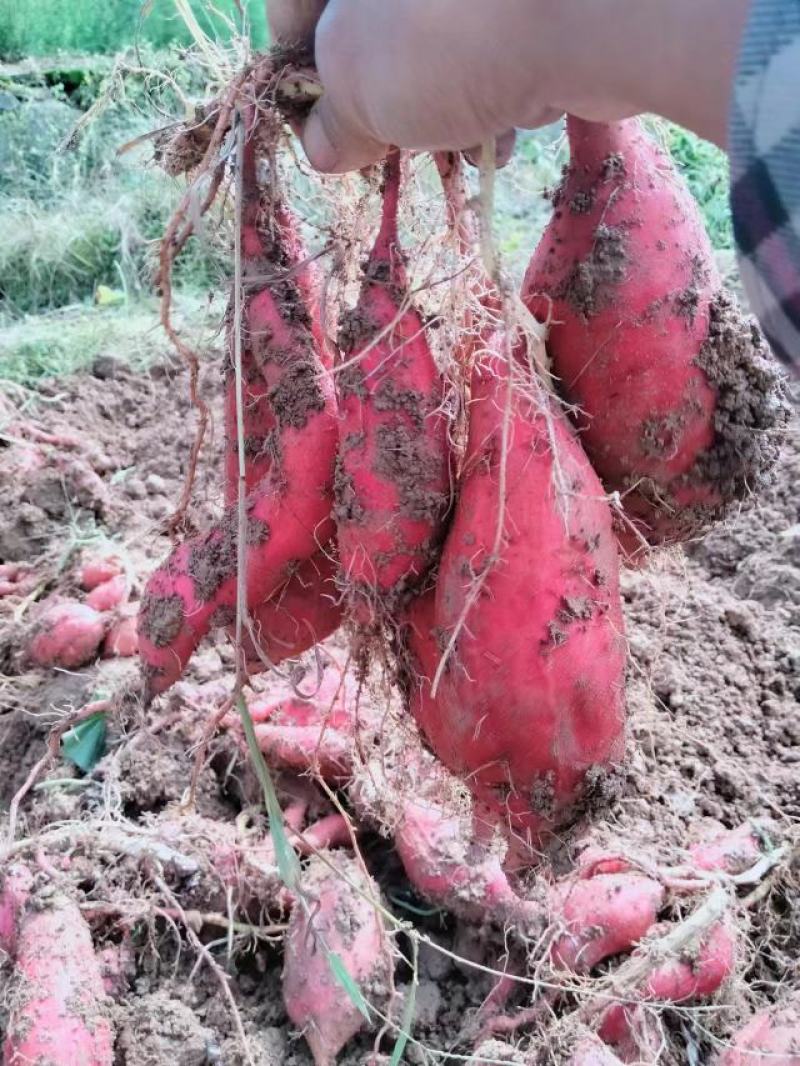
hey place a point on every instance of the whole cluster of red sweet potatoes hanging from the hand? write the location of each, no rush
(488, 571)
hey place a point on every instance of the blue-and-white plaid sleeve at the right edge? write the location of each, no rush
(765, 171)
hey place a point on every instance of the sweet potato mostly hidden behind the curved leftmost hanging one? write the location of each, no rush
(306, 612)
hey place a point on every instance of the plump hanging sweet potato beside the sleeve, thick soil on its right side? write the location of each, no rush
(676, 394)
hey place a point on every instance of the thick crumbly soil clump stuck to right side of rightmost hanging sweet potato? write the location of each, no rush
(751, 409)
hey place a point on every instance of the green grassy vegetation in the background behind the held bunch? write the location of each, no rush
(82, 228)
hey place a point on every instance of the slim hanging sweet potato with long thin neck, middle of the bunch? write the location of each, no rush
(392, 477)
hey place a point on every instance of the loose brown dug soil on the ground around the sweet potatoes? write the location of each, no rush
(715, 739)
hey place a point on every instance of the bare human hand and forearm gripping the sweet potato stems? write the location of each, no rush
(452, 74)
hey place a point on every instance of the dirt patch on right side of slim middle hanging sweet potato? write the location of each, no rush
(405, 460)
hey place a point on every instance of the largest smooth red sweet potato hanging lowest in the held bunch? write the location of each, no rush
(531, 708)
